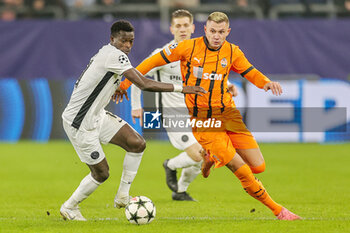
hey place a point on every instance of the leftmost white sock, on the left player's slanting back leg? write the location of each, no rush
(87, 186)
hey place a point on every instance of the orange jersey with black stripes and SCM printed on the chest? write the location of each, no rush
(205, 67)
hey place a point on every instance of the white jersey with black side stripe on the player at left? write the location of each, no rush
(93, 90)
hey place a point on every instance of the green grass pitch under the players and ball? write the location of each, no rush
(311, 180)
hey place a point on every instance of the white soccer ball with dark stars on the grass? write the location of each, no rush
(140, 210)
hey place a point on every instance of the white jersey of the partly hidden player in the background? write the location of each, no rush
(169, 73)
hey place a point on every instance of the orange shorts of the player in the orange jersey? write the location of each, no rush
(221, 144)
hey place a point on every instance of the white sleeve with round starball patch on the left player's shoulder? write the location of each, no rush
(118, 62)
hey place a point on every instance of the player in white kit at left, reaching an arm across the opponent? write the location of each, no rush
(87, 124)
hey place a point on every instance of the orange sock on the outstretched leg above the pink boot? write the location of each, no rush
(255, 188)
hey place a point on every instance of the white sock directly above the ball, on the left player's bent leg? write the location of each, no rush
(130, 166)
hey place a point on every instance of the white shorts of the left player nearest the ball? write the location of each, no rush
(87, 143)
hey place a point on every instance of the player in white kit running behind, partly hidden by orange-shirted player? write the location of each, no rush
(190, 159)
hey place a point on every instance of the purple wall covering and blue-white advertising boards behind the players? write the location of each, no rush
(41, 59)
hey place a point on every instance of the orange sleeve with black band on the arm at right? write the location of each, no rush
(242, 66)
